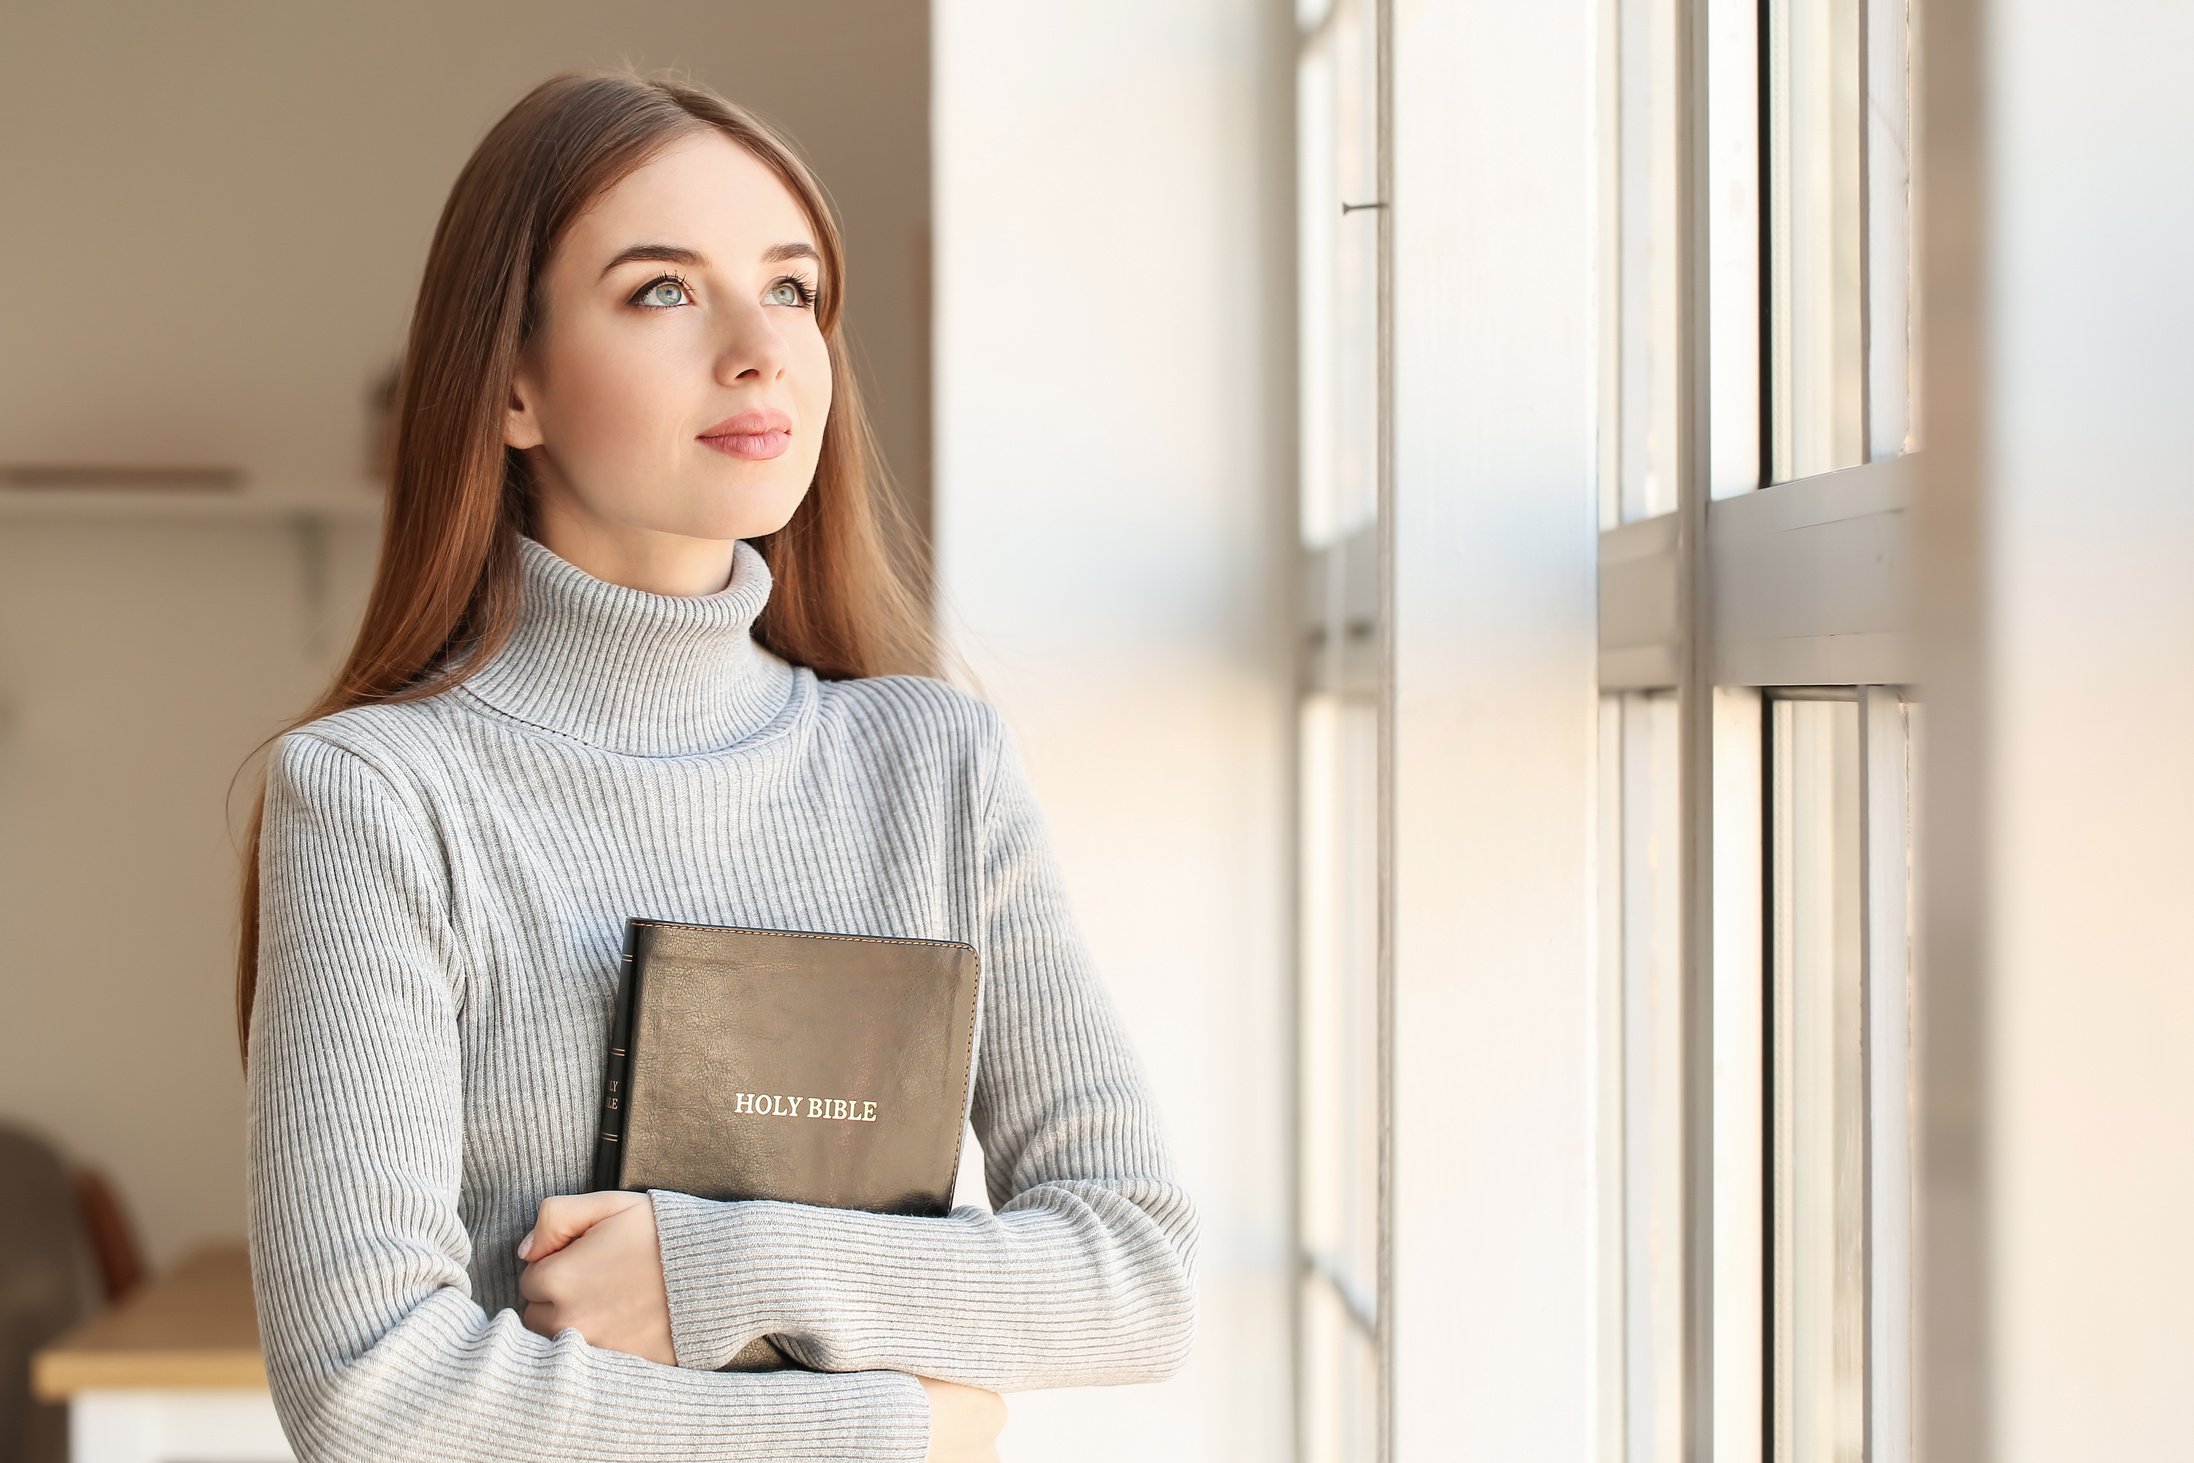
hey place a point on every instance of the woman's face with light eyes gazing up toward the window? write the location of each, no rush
(635, 365)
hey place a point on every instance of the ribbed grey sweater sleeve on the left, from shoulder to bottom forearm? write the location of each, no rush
(374, 1341)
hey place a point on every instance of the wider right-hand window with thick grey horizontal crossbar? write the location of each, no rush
(1756, 718)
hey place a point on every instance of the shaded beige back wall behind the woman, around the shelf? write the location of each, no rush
(214, 227)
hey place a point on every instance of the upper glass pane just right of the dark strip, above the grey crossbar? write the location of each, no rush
(1818, 363)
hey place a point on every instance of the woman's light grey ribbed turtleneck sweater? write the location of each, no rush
(444, 889)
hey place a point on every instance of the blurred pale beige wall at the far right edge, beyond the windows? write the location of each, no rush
(2057, 782)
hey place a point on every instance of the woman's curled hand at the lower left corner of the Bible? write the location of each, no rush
(596, 1264)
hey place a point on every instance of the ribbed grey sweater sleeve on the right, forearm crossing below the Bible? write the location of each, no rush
(1087, 1271)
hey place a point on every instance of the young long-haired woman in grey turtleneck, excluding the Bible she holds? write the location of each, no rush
(640, 646)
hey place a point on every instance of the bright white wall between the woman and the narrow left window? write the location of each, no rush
(1116, 534)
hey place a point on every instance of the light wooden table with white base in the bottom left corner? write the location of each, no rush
(170, 1374)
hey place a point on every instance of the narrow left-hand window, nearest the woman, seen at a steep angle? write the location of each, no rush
(1339, 1056)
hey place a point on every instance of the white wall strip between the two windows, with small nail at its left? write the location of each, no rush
(1495, 740)
